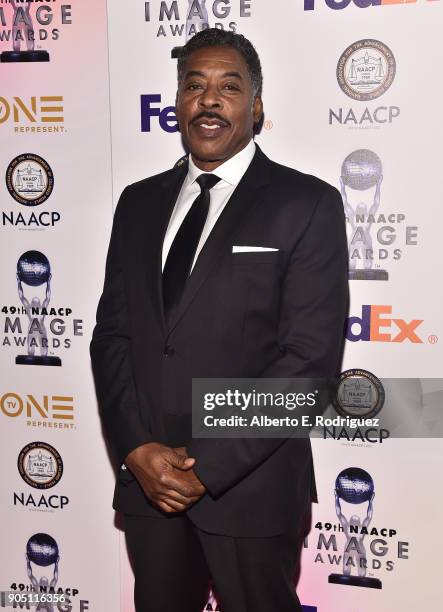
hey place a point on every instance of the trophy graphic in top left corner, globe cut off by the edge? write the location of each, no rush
(22, 31)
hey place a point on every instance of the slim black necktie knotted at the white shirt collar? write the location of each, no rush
(181, 254)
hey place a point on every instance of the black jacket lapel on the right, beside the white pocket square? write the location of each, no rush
(245, 196)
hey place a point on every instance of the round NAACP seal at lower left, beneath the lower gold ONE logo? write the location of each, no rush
(40, 465)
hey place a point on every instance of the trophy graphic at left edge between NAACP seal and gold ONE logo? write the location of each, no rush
(34, 270)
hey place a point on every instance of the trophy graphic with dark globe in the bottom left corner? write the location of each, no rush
(42, 551)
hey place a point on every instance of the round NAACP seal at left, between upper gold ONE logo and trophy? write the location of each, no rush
(29, 179)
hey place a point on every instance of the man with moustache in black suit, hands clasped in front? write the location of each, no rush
(228, 265)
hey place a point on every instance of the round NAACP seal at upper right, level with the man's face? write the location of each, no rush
(366, 69)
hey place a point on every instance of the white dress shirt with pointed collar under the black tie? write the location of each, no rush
(230, 173)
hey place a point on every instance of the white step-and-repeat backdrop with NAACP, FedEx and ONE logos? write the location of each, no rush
(352, 92)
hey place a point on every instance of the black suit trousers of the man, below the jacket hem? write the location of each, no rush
(174, 564)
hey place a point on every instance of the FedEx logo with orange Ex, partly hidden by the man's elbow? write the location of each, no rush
(377, 325)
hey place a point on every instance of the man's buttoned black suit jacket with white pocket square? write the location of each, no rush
(255, 314)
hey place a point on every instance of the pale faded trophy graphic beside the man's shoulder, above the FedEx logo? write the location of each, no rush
(361, 171)
